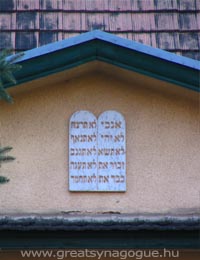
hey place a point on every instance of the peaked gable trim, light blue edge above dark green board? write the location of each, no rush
(101, 46)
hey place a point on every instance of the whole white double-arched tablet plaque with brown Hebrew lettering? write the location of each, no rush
(97, 152)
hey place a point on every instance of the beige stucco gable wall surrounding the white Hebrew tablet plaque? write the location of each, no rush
(162, 144)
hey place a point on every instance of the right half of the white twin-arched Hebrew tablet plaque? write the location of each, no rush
(111, 152)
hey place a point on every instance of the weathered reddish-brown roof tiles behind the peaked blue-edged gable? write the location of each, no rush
(172, 25)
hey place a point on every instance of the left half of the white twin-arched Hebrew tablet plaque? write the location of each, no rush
(83, 152)
